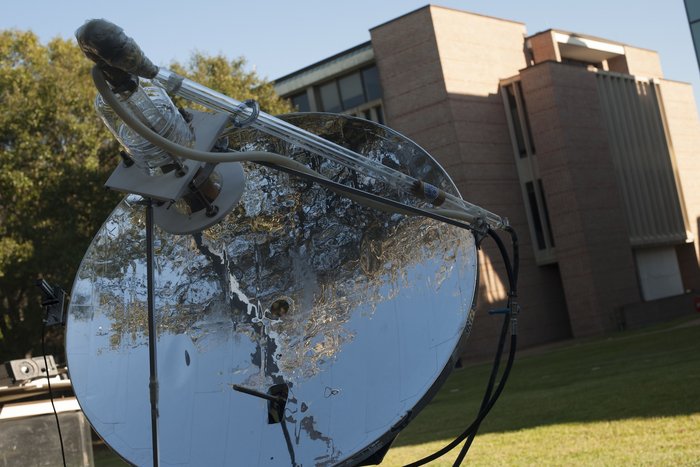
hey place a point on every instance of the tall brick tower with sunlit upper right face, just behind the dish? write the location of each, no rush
(440, 71)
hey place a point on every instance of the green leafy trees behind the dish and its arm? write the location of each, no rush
(55, 155)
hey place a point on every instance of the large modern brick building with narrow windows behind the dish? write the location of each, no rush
(581, 142)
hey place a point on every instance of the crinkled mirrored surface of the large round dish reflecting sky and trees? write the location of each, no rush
(356, 312)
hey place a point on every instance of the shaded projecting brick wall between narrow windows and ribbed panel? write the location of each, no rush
(594, 255)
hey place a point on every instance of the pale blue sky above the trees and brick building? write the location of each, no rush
(279, 37)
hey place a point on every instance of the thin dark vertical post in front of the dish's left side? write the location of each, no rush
(153, 381)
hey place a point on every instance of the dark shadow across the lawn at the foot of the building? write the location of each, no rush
(649, 373)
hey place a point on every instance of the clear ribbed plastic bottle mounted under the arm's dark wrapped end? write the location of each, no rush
(152, 105)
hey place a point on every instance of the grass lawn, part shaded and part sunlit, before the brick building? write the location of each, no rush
(631, 399)
